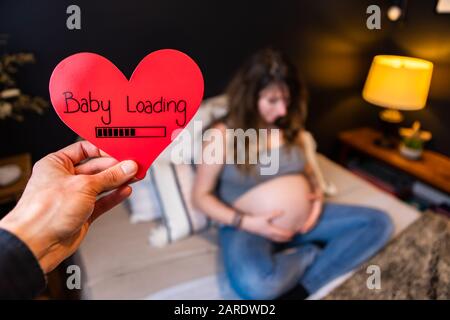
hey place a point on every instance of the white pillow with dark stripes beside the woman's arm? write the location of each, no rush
(173, 183)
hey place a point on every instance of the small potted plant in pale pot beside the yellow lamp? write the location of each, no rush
(413, 141)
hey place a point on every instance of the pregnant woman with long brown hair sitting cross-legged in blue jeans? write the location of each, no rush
(278, 240)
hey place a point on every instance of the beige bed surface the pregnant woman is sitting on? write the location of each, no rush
(119, 263)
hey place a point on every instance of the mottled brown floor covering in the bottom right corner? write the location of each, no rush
(416, 265)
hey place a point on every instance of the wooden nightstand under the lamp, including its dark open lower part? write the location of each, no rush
(423, 183)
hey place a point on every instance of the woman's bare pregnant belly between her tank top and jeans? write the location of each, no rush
(286, 193)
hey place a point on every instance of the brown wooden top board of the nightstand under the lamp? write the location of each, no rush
(432, 168)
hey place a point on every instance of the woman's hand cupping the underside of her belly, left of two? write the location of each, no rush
(262, 225)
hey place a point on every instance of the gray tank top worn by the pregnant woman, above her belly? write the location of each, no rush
(232, 183)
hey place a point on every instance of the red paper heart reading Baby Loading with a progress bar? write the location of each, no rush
(132, 119)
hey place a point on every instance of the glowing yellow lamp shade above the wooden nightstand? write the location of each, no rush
(398, 82)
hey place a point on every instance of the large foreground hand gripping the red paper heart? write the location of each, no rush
(61, 200)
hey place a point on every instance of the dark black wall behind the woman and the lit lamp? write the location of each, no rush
(327, 39)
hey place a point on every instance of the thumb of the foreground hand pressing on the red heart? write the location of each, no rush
(115, 176)
